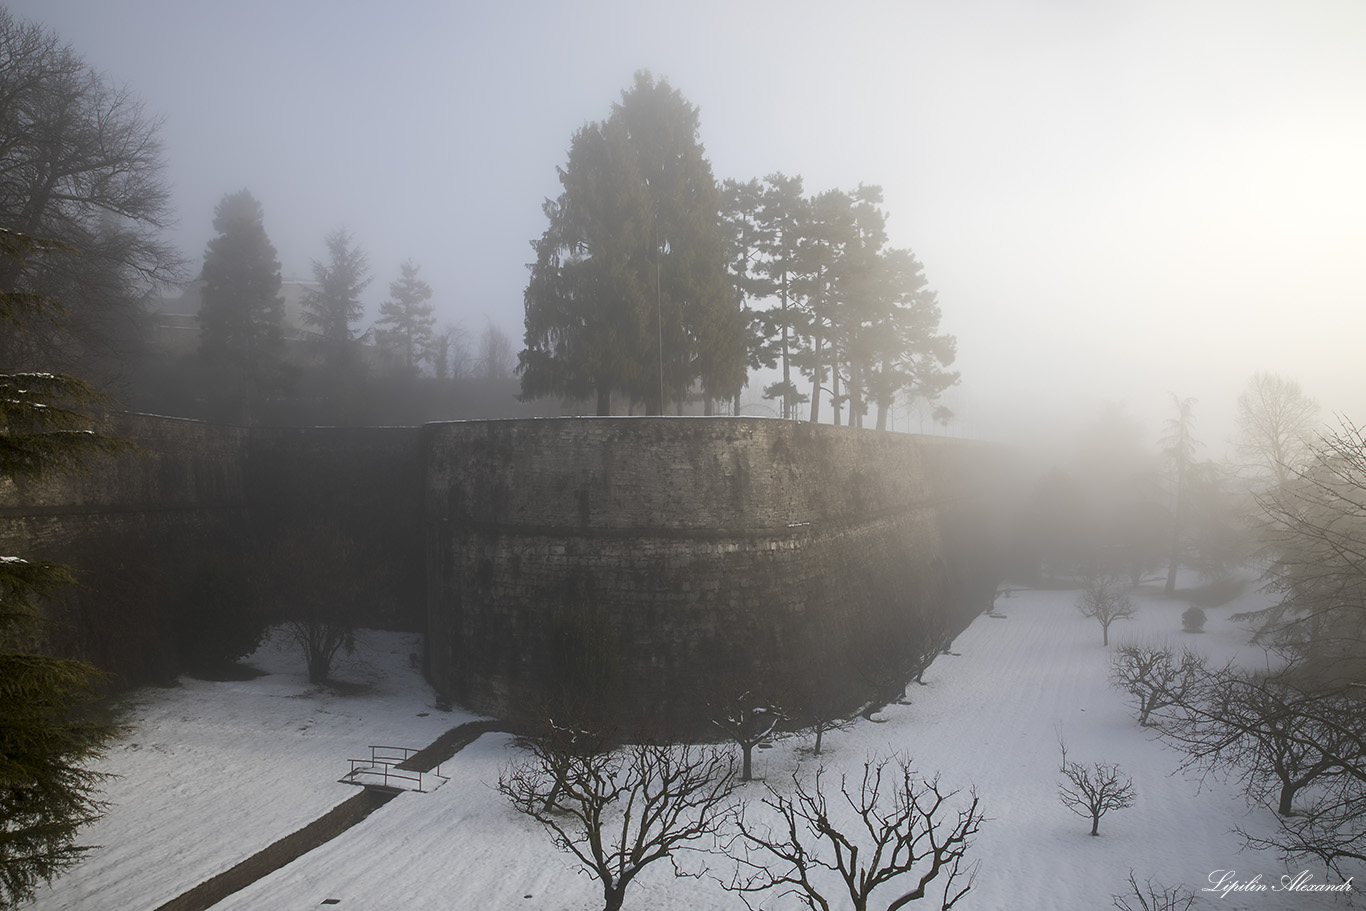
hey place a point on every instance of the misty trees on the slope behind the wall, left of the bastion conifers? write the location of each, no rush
(85, 174)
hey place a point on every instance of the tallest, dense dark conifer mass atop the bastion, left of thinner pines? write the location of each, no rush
(629, 293)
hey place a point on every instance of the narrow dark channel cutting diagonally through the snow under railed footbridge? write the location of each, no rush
(334, 823)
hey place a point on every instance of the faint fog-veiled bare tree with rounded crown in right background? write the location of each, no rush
(1275, 425)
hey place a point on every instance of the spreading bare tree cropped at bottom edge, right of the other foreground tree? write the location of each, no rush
(904, 835)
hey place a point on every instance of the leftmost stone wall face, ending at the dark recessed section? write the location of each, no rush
(136, 529)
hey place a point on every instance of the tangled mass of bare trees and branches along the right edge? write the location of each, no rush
(1296, 740)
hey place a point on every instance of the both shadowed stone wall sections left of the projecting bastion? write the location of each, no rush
(201, 502)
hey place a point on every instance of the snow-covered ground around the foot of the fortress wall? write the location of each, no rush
(214, 772)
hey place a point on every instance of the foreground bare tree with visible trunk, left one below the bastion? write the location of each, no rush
(619, 812)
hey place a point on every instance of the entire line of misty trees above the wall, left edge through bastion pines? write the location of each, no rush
(654, 285)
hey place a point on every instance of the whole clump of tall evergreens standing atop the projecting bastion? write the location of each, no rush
(654, 283)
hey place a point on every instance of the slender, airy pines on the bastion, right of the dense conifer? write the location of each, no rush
(856, 318)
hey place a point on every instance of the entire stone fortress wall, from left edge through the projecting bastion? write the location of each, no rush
(652, 559)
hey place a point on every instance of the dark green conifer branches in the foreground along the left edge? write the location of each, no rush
(47, 794)
